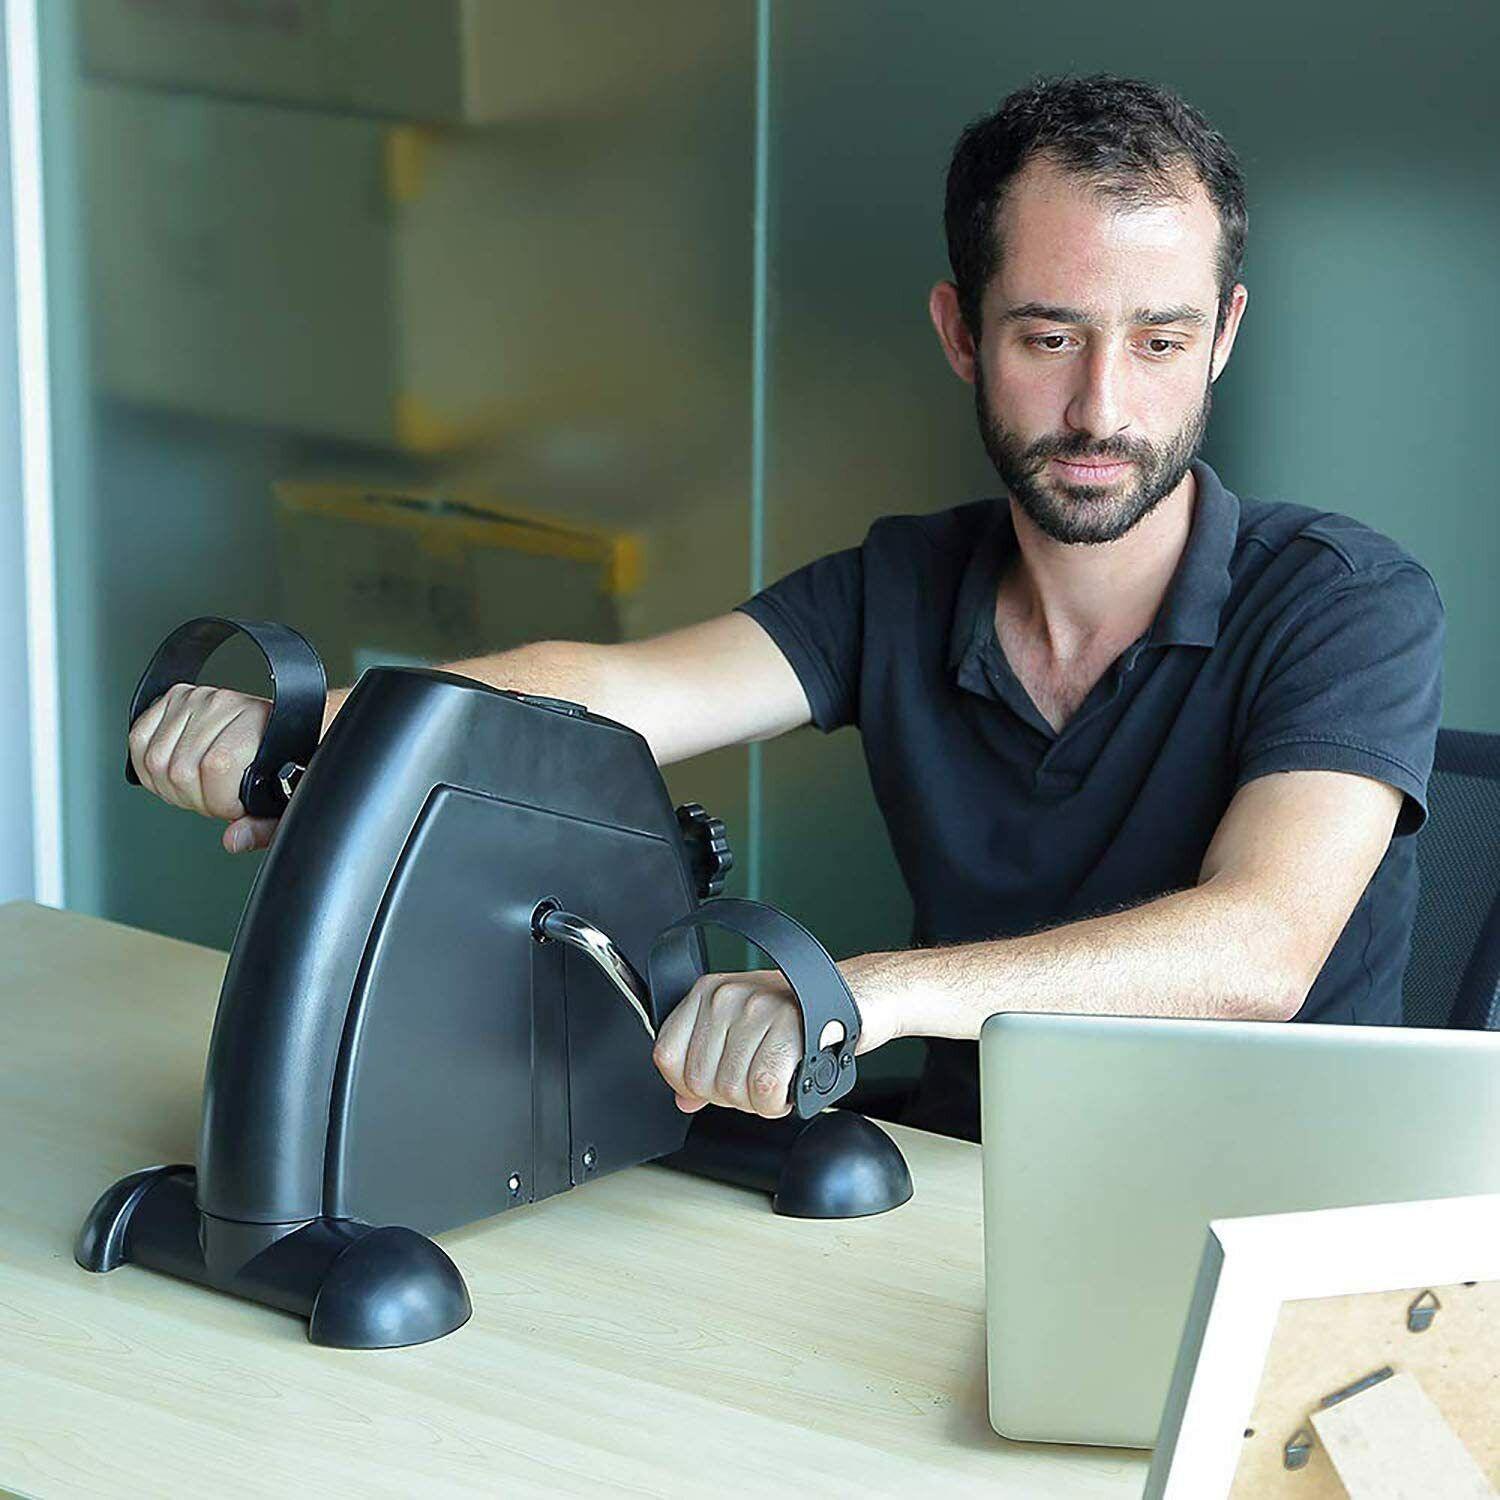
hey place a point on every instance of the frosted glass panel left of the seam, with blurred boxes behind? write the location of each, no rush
(422, 328)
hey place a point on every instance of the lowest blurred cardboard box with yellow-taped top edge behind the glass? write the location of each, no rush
(407, 578)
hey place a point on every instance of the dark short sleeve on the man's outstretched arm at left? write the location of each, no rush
(817, 619)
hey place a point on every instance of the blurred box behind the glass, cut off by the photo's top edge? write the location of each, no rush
(458, 62)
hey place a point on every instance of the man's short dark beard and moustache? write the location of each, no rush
(1088, 514)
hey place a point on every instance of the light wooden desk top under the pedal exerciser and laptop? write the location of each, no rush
(650, 1334)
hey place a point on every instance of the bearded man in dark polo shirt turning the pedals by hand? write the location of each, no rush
(1142, 748)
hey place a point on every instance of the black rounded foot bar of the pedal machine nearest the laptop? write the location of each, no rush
(838, 1165)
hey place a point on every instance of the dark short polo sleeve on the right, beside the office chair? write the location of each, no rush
(1357, 685)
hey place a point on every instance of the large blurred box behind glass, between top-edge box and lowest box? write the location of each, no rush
(398, 287)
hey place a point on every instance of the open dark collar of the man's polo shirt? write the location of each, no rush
(1189, 616)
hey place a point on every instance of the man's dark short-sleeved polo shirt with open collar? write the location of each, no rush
(1288, 640)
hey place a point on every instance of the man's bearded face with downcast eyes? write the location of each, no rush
(1097, 346)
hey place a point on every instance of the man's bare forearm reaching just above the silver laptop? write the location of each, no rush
(1207, 952)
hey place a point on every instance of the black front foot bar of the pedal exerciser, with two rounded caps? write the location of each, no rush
(359, 1288)
